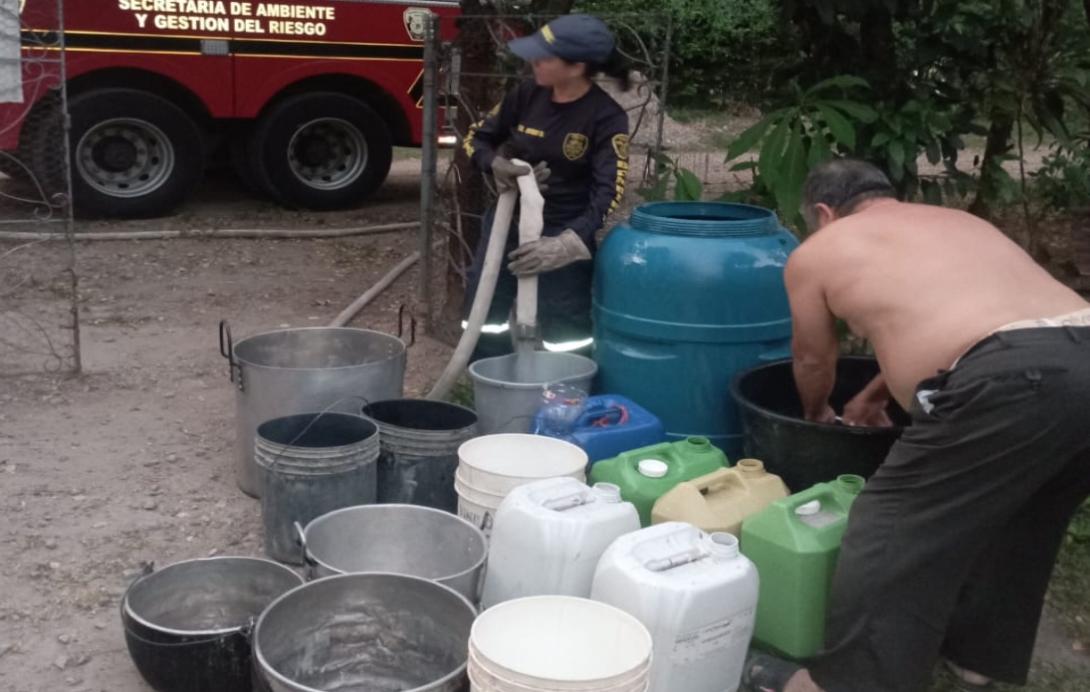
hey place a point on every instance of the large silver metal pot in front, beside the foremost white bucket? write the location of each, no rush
(376, 633)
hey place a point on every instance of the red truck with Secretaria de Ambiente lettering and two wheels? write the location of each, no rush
(310, 96)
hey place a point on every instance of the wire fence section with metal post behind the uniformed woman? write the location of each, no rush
(458, 93)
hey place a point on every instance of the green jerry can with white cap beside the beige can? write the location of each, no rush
(648, 474)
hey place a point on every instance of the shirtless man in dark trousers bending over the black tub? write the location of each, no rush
(950, 548)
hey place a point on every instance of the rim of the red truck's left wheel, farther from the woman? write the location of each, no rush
(125, 157)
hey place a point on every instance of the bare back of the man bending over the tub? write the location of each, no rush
(923, 285)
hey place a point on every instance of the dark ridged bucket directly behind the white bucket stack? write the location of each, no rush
(420, 443)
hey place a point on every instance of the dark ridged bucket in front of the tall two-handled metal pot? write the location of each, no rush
(312, 465)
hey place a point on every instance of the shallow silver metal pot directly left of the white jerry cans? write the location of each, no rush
(401, 540)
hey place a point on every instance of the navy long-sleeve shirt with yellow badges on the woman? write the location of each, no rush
(585, 144)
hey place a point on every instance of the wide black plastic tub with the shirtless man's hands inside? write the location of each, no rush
(802, 453)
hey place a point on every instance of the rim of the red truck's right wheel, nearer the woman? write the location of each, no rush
(328, 154)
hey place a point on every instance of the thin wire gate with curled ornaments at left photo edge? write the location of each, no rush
(40, 318)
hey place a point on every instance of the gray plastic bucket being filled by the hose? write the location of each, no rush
(508, 390)
